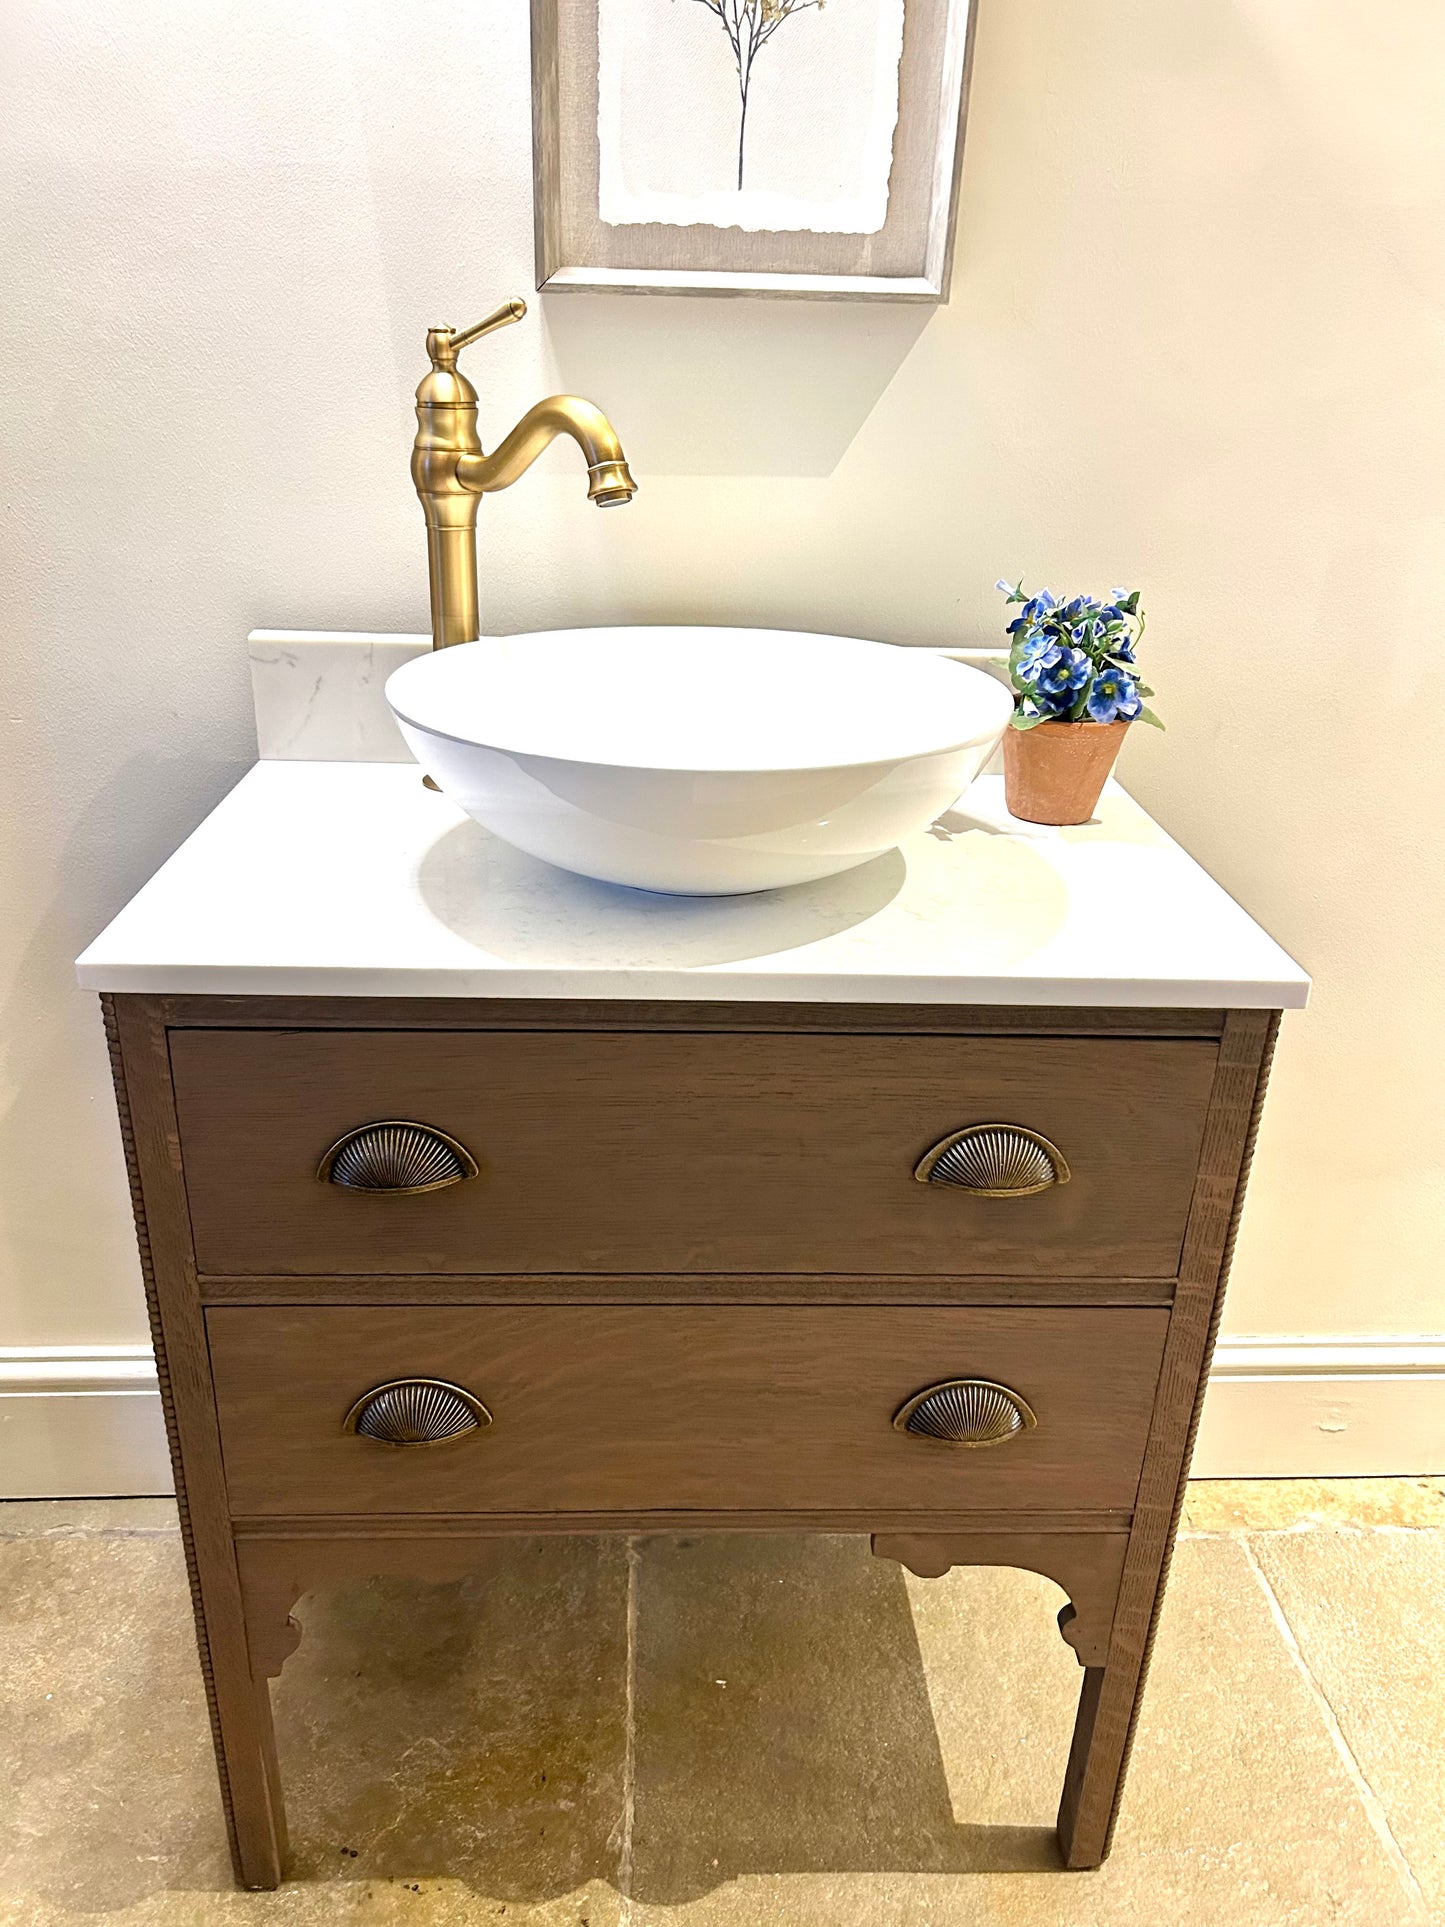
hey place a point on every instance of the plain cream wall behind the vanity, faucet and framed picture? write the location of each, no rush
(1195, 342)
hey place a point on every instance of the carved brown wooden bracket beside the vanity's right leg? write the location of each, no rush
(1088, 1566)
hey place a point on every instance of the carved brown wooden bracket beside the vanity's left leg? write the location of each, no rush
(276, 1573)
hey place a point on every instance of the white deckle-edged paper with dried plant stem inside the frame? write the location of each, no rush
(758, 115)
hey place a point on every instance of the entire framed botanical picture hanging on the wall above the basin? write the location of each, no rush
(749, 147)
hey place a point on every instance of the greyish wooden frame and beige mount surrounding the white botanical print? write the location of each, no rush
(906, 259)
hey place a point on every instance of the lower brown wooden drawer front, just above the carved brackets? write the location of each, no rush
(679, 1408)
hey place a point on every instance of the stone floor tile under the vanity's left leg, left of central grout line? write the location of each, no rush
(452, 1753)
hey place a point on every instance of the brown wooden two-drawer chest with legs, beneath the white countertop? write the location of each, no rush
(427, 1273)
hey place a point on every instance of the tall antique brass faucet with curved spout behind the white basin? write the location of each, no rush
(452, 473)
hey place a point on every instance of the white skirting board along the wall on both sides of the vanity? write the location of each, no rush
(84, 1421)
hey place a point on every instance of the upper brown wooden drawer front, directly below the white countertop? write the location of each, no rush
(685, 1153)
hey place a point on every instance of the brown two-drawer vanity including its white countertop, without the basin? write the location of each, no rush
(477, 1200)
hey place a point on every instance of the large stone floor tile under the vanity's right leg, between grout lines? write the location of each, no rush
(814, 1787)
